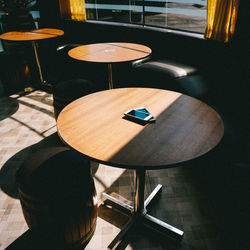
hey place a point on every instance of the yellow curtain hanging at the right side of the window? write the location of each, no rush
(221, 19)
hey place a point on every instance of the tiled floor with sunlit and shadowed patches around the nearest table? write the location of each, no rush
(27, 124)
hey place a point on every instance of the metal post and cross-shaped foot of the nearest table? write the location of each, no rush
(139, 213)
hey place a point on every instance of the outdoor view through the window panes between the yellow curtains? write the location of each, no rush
(188, 15)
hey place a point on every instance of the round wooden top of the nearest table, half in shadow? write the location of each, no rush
(185, 128)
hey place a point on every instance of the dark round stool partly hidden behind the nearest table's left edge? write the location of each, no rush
(67, 91)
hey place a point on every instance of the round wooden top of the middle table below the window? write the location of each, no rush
(110, 52)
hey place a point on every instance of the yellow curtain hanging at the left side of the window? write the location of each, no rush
(74, 9)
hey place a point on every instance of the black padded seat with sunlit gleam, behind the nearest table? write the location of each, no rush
(169, 75)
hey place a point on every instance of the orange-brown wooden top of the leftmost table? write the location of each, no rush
(31, 35)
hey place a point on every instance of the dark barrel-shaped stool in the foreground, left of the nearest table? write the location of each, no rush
(57, 193)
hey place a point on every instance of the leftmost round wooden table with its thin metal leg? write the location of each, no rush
(33, 36)
